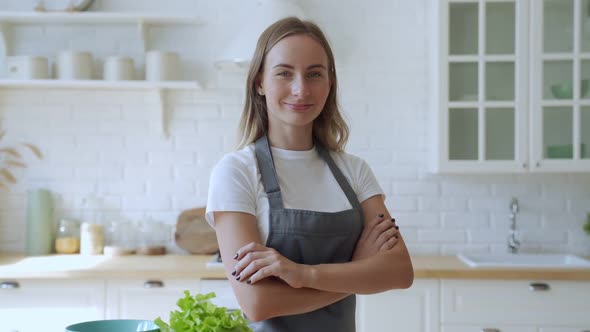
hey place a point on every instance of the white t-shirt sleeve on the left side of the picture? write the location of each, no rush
(230, 189)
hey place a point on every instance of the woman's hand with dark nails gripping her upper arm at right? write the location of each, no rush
(379, 234)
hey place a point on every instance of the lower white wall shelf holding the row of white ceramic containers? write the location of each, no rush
(100, 84)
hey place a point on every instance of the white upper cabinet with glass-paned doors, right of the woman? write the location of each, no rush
(510, 86)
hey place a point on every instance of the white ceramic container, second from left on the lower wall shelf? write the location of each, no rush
(74, 65)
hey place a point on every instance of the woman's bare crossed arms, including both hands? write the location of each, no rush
(279, 287)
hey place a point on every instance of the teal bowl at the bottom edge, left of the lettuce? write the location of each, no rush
(114, 325)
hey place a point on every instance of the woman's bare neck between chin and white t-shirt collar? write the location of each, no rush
(291, 138)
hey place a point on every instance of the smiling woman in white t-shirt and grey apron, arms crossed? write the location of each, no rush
(301, 225)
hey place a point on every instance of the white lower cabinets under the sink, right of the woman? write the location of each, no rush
(453, 305)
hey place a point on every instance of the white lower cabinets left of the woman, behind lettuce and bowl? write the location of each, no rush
(51, 305)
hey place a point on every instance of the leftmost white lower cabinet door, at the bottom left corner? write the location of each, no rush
(49, 305)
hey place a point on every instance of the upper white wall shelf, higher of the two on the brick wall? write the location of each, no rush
(95, 18)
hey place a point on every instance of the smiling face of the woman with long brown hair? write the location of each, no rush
(295, 81)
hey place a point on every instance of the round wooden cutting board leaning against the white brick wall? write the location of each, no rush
(194, 234)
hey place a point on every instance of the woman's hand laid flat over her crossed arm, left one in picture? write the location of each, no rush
(256, 262)
